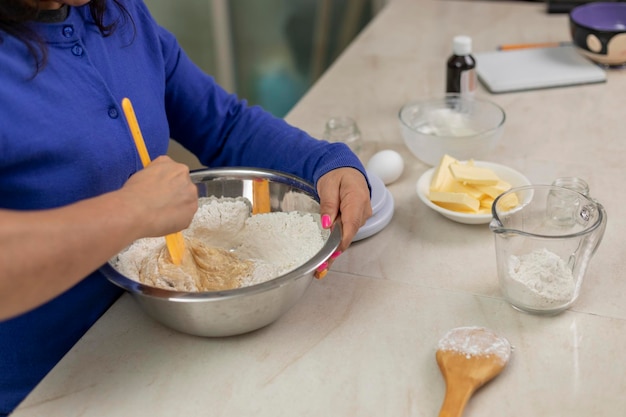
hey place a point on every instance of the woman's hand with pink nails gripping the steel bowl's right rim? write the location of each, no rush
(344, 197)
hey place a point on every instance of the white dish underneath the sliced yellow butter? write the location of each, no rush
(513, 177)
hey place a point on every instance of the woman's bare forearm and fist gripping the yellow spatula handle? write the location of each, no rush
(45, 252)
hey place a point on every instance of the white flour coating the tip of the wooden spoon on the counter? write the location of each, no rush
(472, 341)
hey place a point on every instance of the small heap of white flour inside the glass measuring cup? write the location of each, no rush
(540, 279)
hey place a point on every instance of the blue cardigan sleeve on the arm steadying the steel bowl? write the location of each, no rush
(222, 130)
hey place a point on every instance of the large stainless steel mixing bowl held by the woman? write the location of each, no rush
(241, 310)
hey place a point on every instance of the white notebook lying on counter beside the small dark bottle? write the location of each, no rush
(534, 68)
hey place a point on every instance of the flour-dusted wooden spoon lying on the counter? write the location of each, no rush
(468, 358)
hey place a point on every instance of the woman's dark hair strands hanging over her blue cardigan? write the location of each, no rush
(15, 14)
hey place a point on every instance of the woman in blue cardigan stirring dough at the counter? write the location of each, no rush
(72, 189)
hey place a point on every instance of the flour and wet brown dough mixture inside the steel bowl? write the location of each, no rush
(226, 248)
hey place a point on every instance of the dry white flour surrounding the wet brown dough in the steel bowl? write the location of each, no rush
(274, 243)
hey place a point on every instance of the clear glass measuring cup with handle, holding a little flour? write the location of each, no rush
(542, 258)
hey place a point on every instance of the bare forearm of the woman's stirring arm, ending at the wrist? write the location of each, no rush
(44, 253)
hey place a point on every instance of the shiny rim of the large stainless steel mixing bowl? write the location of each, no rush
(301, 272)
